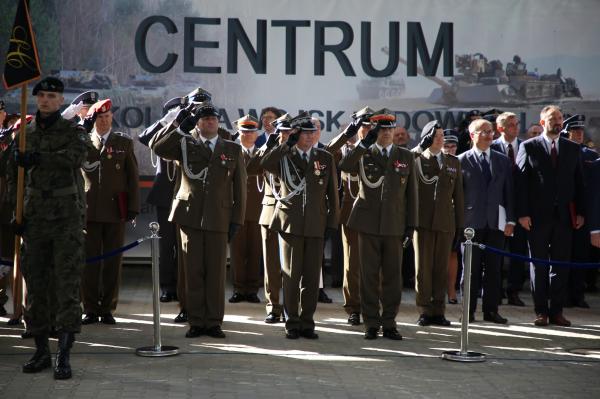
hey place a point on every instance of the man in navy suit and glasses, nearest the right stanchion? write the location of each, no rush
(489, 209)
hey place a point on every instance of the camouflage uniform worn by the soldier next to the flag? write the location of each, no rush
(53, 241)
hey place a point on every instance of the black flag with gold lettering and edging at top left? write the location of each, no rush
(22, 63)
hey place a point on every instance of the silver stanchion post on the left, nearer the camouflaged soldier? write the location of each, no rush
(157, 350)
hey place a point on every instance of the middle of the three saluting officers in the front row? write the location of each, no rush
(307, 206)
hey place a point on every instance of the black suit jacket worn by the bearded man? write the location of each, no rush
(545, 192)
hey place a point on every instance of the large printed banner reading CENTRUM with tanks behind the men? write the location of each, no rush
(427, 59)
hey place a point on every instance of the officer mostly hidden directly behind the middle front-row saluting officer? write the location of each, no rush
(270, 242)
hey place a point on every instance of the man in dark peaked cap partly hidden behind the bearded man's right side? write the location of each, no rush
(574, 130)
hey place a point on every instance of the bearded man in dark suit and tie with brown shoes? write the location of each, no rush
(550, 204)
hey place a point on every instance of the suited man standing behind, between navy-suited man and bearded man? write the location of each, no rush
(508, 144)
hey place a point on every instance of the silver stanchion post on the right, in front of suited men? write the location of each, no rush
(463, 355)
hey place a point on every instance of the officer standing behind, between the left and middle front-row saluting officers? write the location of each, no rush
(245, 248)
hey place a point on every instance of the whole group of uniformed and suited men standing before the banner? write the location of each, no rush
(276, 196)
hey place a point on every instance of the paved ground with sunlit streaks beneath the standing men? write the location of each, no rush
(255, 360)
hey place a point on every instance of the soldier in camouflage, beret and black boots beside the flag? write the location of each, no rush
(52, 231)
